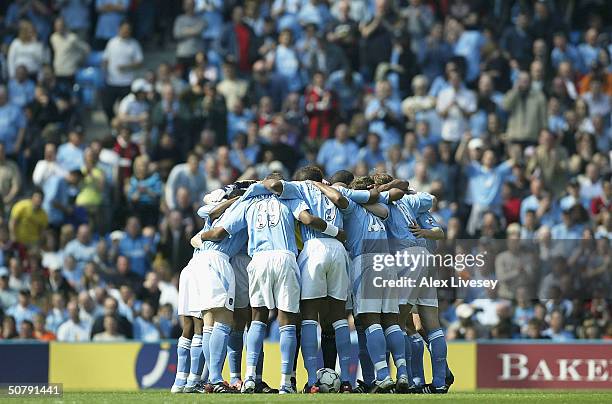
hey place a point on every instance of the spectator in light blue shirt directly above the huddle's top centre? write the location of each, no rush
(338, 153)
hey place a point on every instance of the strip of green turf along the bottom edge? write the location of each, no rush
(488, 396)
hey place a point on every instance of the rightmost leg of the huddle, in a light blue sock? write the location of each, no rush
(437, 345)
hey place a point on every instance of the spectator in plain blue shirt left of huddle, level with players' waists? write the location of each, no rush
(136, 247)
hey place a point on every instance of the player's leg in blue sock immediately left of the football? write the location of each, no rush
(309, 340)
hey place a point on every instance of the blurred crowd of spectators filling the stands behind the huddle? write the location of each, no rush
(500, 108)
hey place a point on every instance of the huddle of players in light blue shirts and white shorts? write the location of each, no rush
(302, 250)
